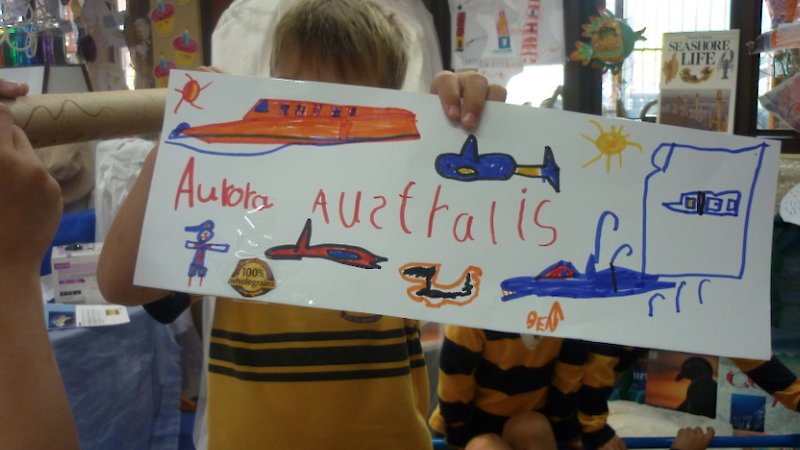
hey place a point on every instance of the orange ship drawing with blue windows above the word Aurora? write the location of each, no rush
(299, 122)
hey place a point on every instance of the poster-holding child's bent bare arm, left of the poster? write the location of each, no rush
(118, 259)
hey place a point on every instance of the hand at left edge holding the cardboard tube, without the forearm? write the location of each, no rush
(30, 199)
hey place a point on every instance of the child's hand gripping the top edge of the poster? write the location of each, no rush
(463, 95)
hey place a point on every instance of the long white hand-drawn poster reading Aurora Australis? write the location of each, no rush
(540, 221)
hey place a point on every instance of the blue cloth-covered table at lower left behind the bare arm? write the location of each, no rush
(123, 383)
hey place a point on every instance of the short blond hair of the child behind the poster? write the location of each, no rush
(355, 35)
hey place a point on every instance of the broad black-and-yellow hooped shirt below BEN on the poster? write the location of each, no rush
(486, 377)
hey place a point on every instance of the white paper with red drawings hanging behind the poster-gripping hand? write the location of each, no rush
(499, 37)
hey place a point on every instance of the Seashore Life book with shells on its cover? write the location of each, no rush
(698, 80)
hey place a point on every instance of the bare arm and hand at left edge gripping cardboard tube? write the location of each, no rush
(34, 412)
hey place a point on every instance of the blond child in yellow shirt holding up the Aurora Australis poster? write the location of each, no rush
(293, 377)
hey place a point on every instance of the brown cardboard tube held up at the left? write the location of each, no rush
(55, 119)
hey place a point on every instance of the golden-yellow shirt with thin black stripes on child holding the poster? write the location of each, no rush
(284, 376)
